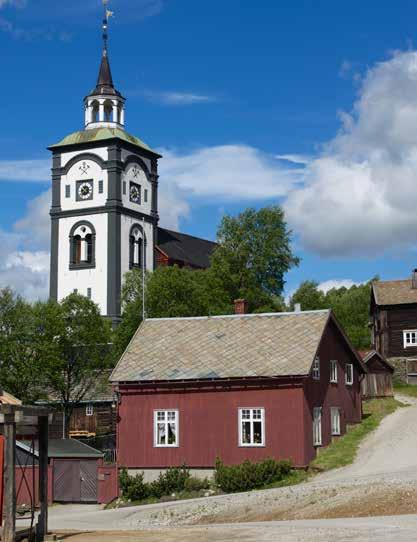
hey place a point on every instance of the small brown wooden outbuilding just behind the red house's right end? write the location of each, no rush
(378, 380)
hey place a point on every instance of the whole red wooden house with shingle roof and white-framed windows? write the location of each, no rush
(238, 387)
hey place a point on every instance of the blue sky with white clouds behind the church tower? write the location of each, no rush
(311, 105)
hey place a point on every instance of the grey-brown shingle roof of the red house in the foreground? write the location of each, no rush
(278, 344)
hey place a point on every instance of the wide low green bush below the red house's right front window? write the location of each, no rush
(247, 475)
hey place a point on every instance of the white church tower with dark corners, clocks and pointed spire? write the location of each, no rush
(104, 210)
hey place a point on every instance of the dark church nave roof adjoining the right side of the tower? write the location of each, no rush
(186, 249)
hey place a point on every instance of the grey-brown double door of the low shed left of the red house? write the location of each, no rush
(75, 480)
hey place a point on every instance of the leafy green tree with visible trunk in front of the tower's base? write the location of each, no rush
(79, 351)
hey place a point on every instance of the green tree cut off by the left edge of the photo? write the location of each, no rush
(20, 356)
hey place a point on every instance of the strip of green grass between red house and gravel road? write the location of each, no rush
(342, 452)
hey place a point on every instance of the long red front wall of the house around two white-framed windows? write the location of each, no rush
(208, 426)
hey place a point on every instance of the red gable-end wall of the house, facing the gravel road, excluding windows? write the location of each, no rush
(323, 393)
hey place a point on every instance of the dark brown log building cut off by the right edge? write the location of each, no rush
(394, 324)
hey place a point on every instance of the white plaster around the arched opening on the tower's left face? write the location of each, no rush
(81, 279)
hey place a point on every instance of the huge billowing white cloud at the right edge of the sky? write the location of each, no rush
(359, 195)
